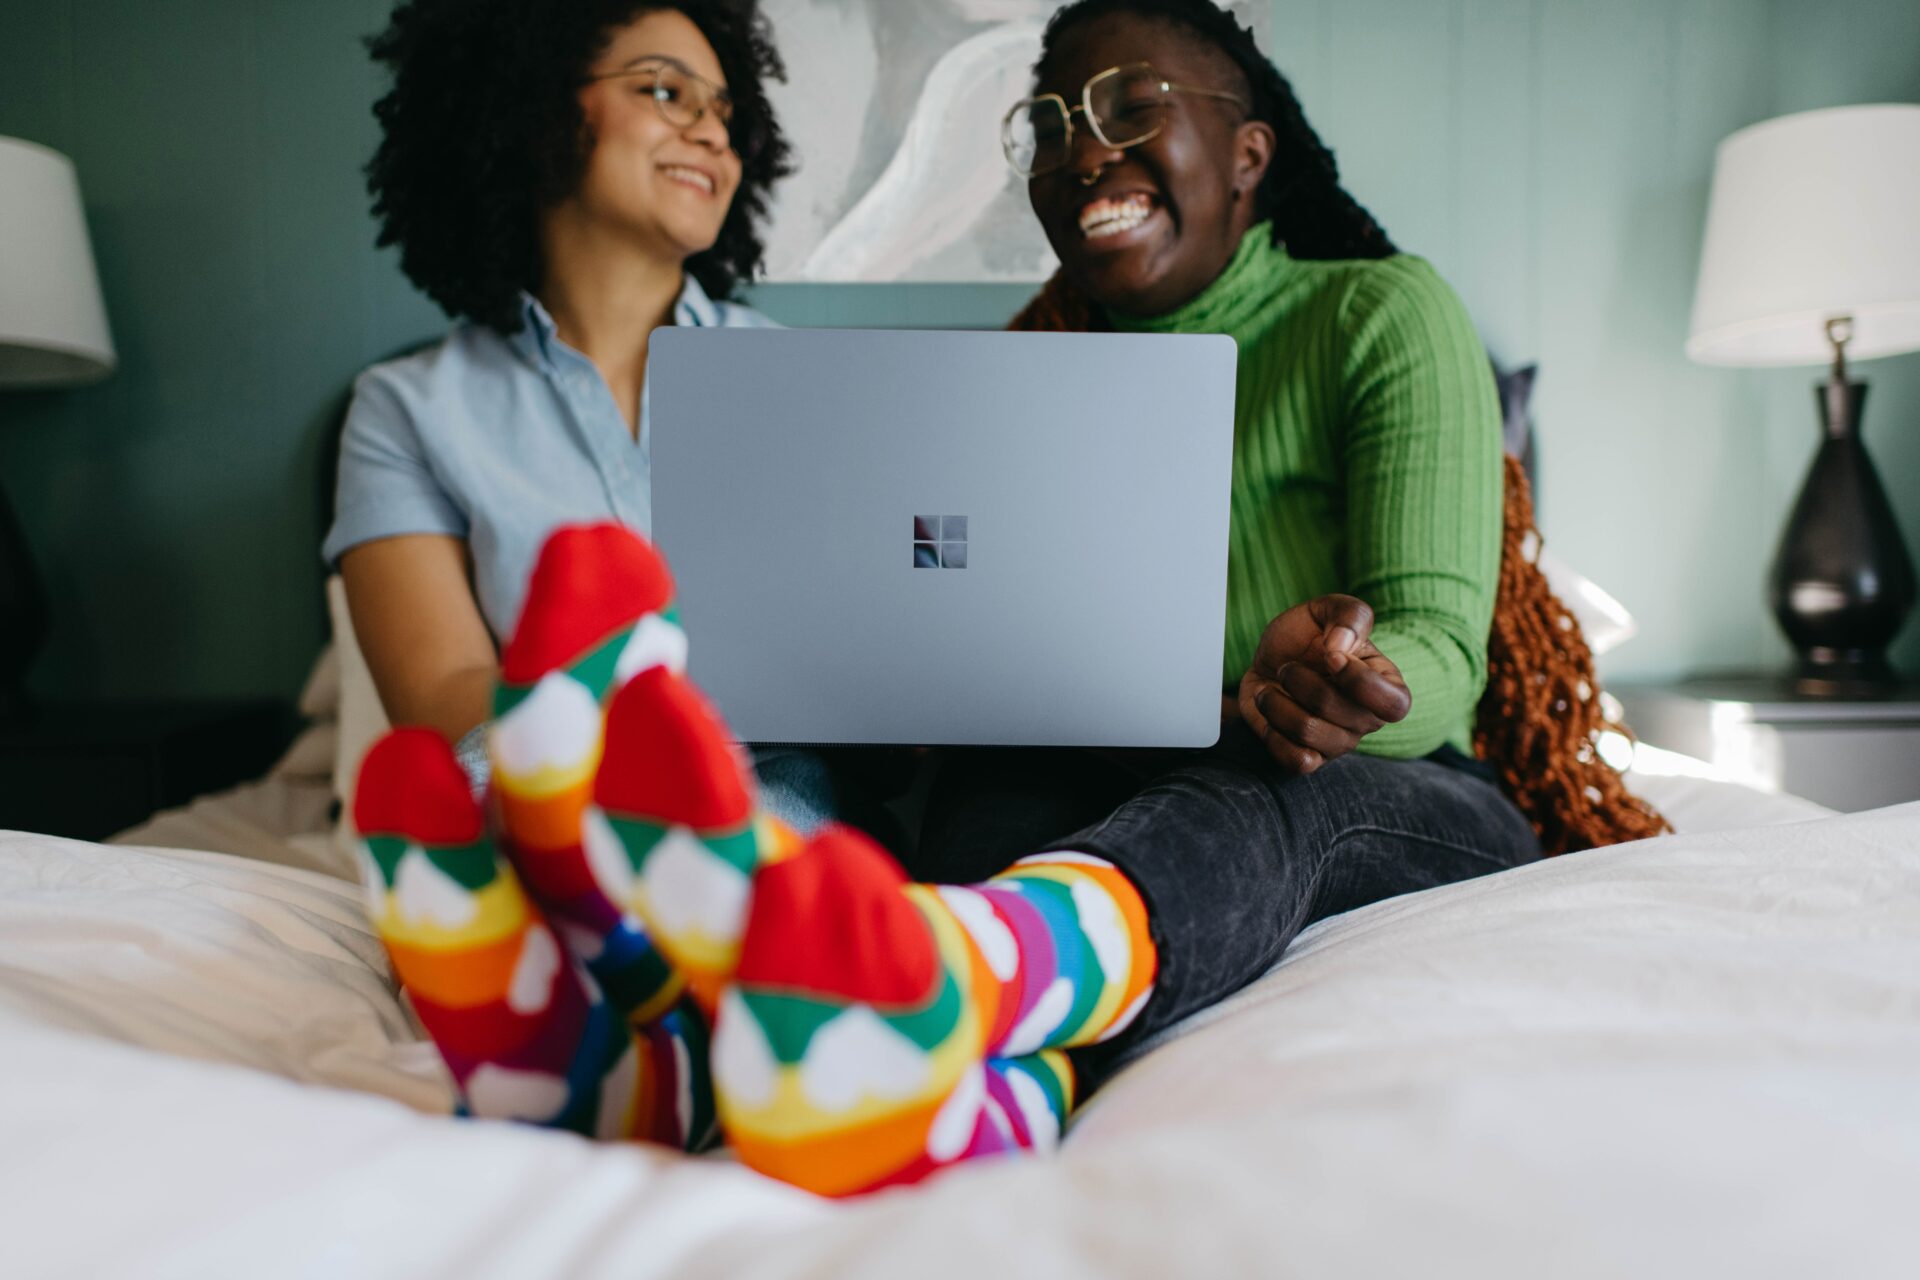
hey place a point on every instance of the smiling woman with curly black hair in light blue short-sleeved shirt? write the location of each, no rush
(562, 179)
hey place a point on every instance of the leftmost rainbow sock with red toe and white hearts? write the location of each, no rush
(523, 1030)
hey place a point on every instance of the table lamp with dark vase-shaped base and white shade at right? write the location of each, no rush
(1813, 258)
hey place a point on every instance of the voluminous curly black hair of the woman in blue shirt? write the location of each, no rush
(483, 131)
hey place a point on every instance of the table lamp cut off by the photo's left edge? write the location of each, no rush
(53, 333)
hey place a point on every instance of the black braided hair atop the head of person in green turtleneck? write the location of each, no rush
(1312, 214)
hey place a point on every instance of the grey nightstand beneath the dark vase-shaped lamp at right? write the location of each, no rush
(1844, 753)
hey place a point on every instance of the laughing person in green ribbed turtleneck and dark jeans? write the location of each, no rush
(1184, 193)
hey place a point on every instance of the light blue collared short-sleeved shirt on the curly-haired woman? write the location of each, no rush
(498, 440)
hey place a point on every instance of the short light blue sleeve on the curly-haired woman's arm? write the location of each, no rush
(387, 483)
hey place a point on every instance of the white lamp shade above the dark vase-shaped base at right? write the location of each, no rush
(1813, 216)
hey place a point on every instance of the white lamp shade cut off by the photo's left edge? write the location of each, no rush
(53, 323)
